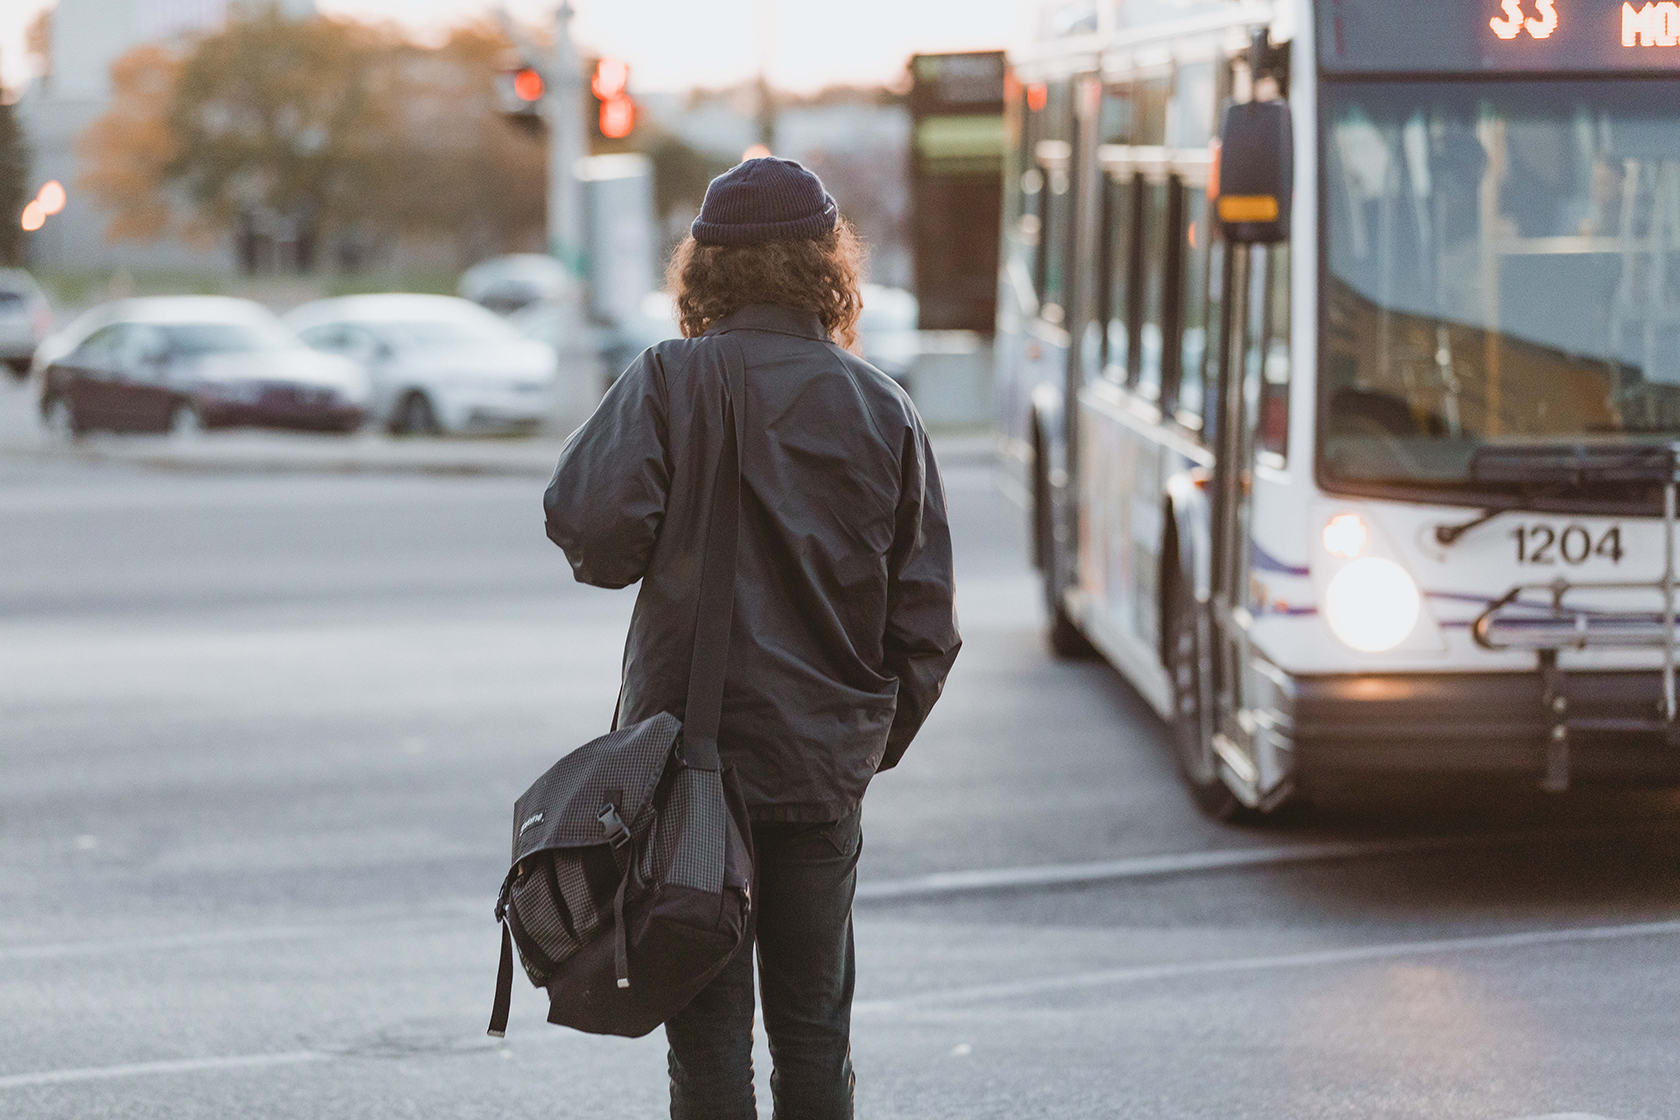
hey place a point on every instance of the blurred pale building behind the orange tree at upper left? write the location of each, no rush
(88, 36)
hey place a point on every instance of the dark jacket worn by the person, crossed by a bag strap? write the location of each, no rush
(844, 624)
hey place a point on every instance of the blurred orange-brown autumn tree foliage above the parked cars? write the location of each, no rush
(344, 130)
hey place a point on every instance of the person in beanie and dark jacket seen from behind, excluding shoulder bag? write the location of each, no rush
(844, 624)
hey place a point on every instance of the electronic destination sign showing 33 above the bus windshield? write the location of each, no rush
(1491, 36)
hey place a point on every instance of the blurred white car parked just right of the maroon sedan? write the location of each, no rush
(438, 364)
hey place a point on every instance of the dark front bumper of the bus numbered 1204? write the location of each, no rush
(1491, 725)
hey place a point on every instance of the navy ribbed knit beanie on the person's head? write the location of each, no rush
(765, 201)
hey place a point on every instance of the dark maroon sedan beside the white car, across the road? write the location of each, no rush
(187, 364)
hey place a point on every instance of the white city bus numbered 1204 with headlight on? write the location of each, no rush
(1338, 369)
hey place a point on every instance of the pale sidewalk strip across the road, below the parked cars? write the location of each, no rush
(288, 453)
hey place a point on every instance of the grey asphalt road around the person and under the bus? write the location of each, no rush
(261, 736)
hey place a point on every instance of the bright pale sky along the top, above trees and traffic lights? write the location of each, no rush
(680, 44)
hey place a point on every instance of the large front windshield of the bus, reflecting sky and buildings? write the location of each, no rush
(1503, 266)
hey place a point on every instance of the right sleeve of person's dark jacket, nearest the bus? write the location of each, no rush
(921, 641)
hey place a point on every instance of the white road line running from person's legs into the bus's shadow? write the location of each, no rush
(990, 881)
